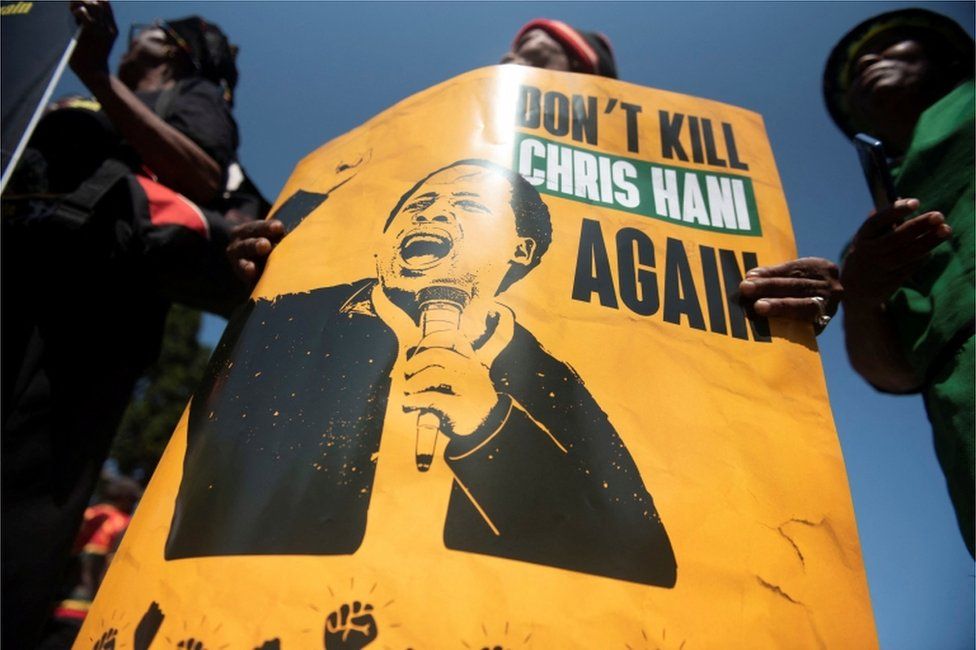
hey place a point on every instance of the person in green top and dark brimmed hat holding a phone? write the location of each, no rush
(906, 77)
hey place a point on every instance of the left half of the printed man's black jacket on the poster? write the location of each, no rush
(284, 429)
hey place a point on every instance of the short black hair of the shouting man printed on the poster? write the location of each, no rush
(531, 214)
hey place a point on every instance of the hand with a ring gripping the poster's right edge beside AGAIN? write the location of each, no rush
(803, 289)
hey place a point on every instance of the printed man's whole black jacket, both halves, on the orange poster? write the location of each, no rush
(284, 430)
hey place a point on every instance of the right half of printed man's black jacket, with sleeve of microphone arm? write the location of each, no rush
(552, 483)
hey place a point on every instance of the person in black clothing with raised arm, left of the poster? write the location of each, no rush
(83, 297)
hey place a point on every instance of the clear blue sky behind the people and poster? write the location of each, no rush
(312, 71)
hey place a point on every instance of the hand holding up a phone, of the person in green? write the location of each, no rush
(885, 251)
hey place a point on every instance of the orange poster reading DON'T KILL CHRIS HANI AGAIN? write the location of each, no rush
(494, 390)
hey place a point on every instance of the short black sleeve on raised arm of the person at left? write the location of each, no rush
(200, 112)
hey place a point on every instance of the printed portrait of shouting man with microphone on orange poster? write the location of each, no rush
(284, 432)
